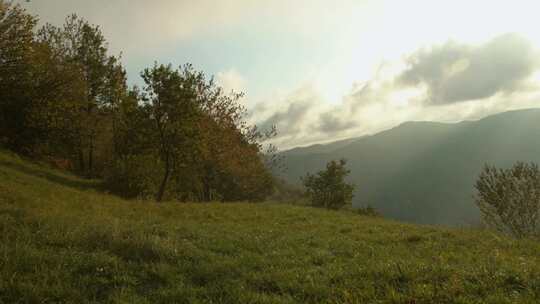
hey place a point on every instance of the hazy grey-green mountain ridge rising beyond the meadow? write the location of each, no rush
(424, 172)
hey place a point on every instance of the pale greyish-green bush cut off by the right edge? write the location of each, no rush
(509, 199)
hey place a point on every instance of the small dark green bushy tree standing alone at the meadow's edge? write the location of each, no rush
(328, 187)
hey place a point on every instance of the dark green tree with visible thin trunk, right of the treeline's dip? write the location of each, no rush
(171, 98)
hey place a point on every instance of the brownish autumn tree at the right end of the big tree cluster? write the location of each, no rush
(232, 154)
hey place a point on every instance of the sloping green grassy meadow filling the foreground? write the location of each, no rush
(62, 240)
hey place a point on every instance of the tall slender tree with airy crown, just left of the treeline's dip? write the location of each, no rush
(81, 47)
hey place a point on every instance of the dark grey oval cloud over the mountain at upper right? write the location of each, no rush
(456, 72)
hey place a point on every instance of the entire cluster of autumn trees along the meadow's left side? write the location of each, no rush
(63, 97)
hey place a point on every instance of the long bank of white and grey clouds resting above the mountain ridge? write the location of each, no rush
(447, 83)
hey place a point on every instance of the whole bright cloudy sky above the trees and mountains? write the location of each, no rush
(324, 70)
